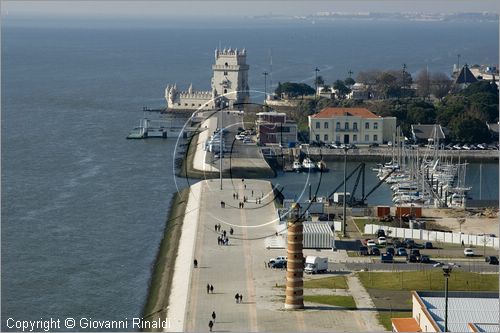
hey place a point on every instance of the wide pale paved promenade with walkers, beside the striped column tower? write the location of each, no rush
(240, 267)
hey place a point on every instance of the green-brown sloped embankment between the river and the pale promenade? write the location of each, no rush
(161, 280)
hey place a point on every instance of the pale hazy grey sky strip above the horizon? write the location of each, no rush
(205, 8)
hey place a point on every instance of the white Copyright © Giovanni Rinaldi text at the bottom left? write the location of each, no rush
(84, 323)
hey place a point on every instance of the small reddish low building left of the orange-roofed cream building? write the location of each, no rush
(273, 127)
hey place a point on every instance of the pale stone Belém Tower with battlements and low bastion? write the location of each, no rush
(229, 85)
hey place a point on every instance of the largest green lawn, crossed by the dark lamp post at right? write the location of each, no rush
(429, 280)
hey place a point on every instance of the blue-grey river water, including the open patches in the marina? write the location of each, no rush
(83, 209)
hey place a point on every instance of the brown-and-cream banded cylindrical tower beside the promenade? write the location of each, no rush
(294, 294)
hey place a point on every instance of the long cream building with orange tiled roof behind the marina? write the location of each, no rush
(350, 125)
